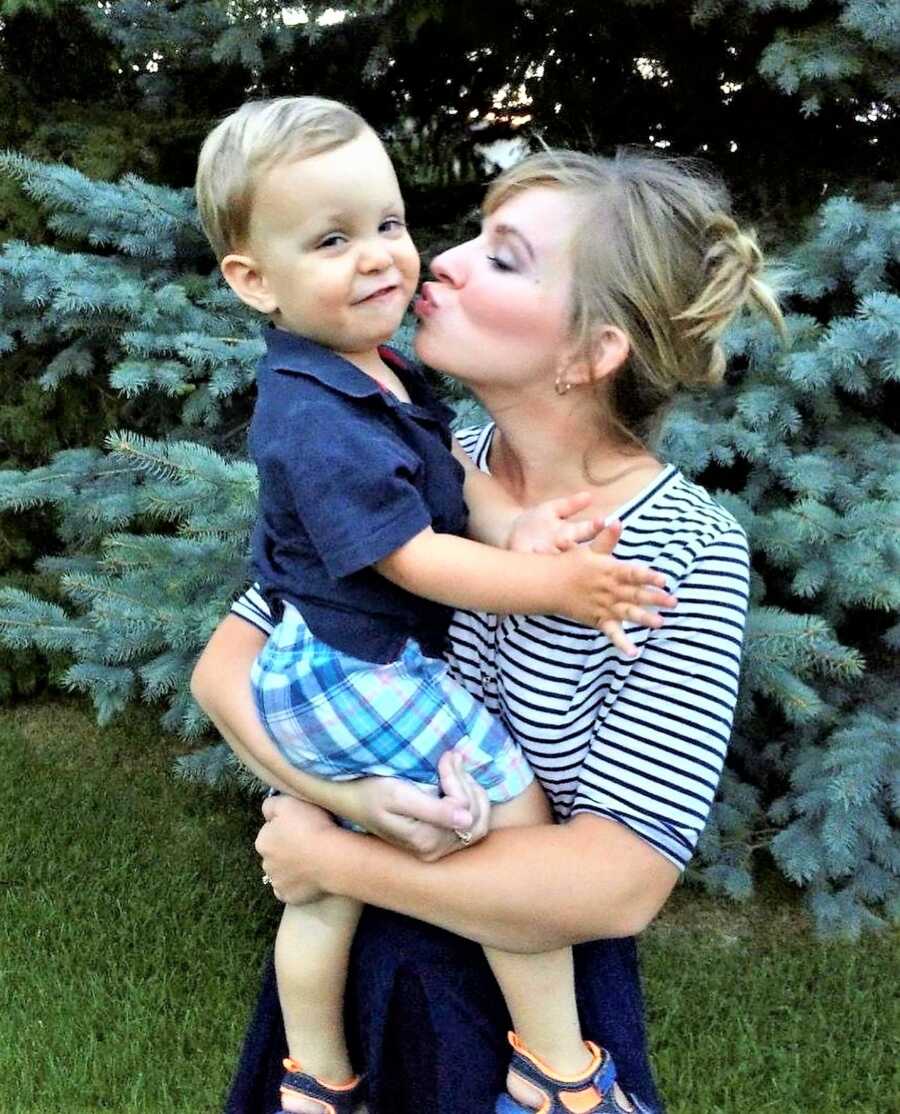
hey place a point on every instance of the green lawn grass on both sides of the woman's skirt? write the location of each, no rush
(133, 925)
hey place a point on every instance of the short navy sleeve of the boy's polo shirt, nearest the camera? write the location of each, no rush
(353, 487)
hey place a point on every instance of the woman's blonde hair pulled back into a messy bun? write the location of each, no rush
(656, 255)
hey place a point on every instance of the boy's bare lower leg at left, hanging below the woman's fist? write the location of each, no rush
(312, 950)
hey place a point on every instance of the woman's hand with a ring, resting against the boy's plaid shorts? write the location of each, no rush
(428, 827)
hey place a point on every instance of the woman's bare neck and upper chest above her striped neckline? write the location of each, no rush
(563, 453)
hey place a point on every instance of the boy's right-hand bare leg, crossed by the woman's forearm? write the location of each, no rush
(540, 988)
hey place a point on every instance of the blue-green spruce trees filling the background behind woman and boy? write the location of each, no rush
(801, 445)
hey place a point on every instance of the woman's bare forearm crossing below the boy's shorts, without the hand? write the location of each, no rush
(523, 890)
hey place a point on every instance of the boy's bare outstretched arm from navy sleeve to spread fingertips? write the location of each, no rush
(585, 584)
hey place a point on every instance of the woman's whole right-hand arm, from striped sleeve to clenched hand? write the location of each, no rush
(539, 888)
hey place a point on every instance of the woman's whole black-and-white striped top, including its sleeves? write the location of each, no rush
(638, 740)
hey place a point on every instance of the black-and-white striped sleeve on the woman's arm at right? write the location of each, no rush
(660, 741)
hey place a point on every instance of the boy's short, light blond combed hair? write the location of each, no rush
(250, 142)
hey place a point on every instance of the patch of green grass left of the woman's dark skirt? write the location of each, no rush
(132, 925)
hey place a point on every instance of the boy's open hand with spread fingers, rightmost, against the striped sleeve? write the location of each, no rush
(602, 592)
